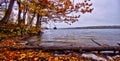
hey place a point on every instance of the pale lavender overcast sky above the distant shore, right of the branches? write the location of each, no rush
(106, 12)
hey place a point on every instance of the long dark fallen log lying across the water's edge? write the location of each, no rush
(112, 48)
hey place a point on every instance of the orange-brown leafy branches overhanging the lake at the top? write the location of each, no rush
(57, 10)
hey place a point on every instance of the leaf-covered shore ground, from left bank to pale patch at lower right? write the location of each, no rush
(9, 54)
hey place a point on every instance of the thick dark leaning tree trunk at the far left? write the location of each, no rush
(8, 12)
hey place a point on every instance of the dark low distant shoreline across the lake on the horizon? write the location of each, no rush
(94, 27)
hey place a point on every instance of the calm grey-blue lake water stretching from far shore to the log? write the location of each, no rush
(77, 38)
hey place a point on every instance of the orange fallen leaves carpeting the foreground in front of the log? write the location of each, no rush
(33, 55)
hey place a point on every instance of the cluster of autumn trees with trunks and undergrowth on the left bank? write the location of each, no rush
(44, 11)
